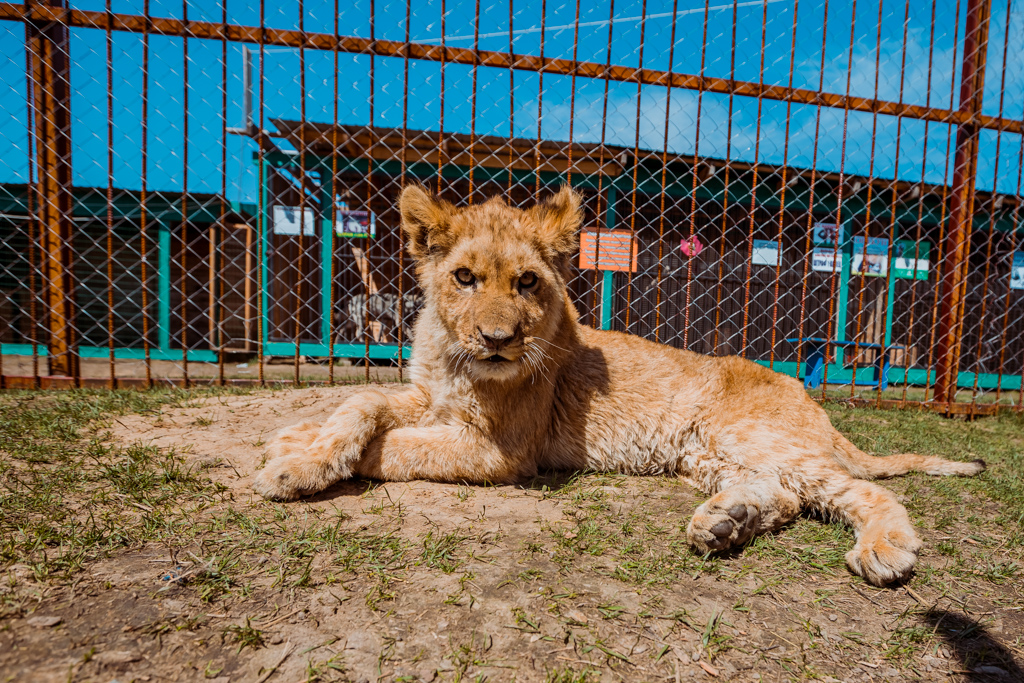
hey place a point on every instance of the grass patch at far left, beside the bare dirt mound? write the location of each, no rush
(69, 495)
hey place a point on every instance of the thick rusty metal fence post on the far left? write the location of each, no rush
(49, 50)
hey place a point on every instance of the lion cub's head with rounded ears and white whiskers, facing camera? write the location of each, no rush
(495, 279)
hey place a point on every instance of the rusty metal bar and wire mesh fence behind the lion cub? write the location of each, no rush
(205, 192)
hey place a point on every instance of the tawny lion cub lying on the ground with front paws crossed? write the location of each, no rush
(507, 382)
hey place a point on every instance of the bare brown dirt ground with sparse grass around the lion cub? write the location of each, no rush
(569, 579)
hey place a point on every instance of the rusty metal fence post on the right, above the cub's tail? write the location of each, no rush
(954, 271)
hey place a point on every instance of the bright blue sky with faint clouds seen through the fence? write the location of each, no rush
(283, 97)
